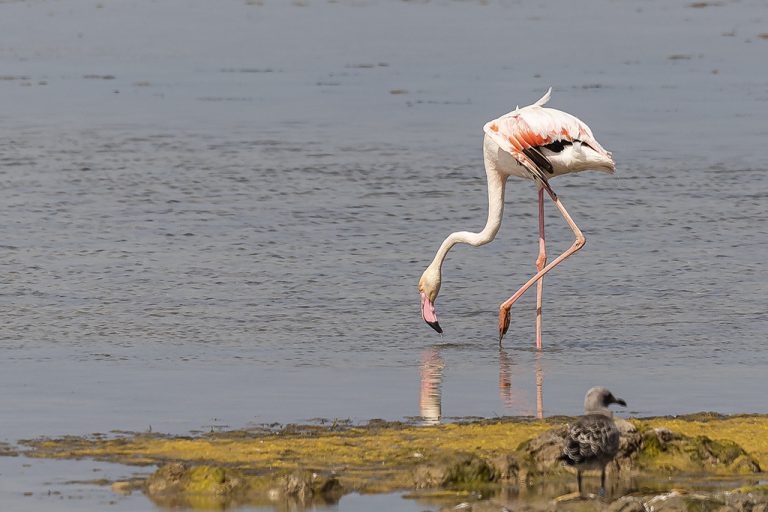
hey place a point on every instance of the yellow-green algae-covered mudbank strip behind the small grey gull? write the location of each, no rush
(511, 457)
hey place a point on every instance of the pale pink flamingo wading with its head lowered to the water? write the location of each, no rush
(536, 143)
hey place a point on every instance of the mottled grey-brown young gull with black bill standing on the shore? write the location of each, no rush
(593, 441)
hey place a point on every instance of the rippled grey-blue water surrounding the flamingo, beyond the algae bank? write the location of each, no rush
(217, 217)
